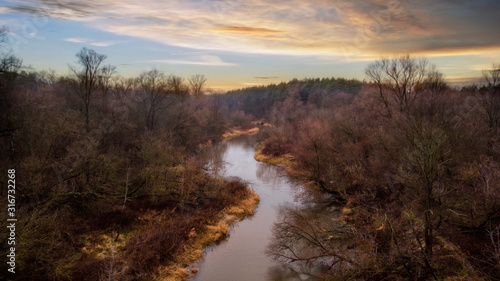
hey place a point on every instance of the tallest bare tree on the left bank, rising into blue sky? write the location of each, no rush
(86, 79)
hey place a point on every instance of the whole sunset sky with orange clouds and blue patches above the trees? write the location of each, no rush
(240, 43)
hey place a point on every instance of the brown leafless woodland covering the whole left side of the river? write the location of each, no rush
(98, 155)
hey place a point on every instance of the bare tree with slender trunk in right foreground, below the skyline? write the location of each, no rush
(424, 162)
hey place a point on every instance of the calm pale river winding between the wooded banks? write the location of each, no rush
(242, 256)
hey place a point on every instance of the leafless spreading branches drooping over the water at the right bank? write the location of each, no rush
(310, 240)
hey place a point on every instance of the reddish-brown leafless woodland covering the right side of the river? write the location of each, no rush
(416, 165)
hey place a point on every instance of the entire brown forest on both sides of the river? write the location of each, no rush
(112, 182)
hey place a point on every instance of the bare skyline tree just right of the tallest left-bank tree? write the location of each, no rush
(155, 89)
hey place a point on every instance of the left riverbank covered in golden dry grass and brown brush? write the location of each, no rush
(165, 242)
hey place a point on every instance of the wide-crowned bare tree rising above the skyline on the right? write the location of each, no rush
(398, 80)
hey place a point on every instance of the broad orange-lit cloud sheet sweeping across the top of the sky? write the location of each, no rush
(356, 29)
